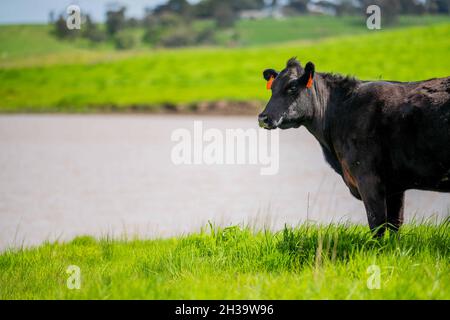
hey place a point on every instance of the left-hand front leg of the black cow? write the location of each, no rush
(373, 194)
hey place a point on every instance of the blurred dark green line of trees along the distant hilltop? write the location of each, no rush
(175, 23)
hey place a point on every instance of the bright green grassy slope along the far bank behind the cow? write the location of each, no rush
(91, 80)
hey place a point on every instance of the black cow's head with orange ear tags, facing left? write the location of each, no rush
(291, 101)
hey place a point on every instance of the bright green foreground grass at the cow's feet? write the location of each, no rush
(307, 262)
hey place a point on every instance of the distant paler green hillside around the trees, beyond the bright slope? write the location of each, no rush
(18, 42)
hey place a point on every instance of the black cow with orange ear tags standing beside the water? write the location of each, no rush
(382, 137)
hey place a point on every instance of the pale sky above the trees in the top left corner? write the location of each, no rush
(37, 11)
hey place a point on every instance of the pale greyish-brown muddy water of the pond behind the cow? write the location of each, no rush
(65, 175)
